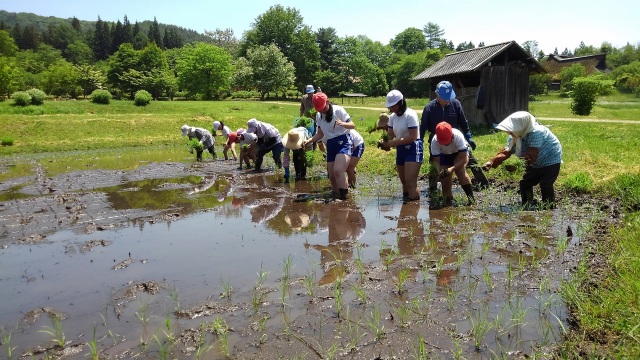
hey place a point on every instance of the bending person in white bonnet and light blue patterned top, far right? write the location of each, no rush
(541, 151)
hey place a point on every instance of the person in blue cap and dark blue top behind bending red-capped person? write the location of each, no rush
(445, 107)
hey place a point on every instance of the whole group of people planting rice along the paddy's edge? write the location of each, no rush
(450, 145)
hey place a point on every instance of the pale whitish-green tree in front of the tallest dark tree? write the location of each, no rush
(272, 71)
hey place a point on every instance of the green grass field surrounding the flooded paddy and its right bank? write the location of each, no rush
(601, 158)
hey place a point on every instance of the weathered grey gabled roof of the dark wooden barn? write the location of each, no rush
(474, 59)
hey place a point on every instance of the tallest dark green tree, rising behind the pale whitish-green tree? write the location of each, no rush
(284, 27)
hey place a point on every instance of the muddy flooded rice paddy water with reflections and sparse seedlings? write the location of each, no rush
(205, 261)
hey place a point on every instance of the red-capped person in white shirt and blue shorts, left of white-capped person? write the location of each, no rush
(334, 124)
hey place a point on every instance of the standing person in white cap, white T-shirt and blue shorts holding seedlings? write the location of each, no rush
(403, 135)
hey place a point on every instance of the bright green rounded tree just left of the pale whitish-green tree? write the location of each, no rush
(204, 69)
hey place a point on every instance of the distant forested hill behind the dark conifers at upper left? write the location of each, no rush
(41, 23)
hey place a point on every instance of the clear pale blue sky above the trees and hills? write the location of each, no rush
(553, 23)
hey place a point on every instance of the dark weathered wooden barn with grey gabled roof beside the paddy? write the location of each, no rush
(491, 81)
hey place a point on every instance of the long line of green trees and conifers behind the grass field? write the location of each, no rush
(279, 55)
